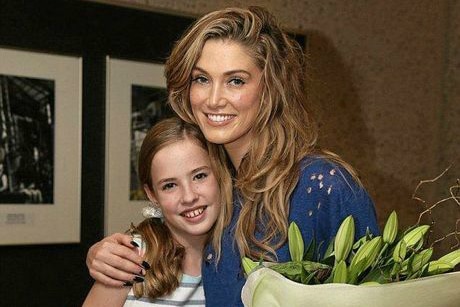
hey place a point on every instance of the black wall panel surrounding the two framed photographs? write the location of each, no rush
(56, 274)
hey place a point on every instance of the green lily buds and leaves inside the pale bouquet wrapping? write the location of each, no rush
(392, 257)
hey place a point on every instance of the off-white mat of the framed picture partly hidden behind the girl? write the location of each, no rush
(120, 211)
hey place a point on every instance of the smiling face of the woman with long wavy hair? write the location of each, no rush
(225, 94)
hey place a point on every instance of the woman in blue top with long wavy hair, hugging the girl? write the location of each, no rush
(238, 76)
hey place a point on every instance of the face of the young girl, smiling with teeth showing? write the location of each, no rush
(185, 188)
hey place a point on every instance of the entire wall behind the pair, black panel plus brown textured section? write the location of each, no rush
(384, 74)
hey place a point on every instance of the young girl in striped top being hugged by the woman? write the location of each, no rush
(182, 184)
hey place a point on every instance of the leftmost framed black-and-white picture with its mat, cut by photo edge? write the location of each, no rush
(40, 133)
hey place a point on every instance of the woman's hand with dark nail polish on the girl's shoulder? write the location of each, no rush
(115, 261)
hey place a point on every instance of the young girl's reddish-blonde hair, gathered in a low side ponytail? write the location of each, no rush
(163, 252)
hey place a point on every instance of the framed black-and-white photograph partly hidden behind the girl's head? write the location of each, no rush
(136, 100)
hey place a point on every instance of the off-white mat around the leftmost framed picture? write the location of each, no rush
(59, 221)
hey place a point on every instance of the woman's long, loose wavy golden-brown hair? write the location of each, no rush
(285, 129)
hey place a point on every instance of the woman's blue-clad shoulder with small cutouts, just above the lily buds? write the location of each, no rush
(327, 193)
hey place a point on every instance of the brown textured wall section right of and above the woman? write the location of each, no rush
(386, 77)
